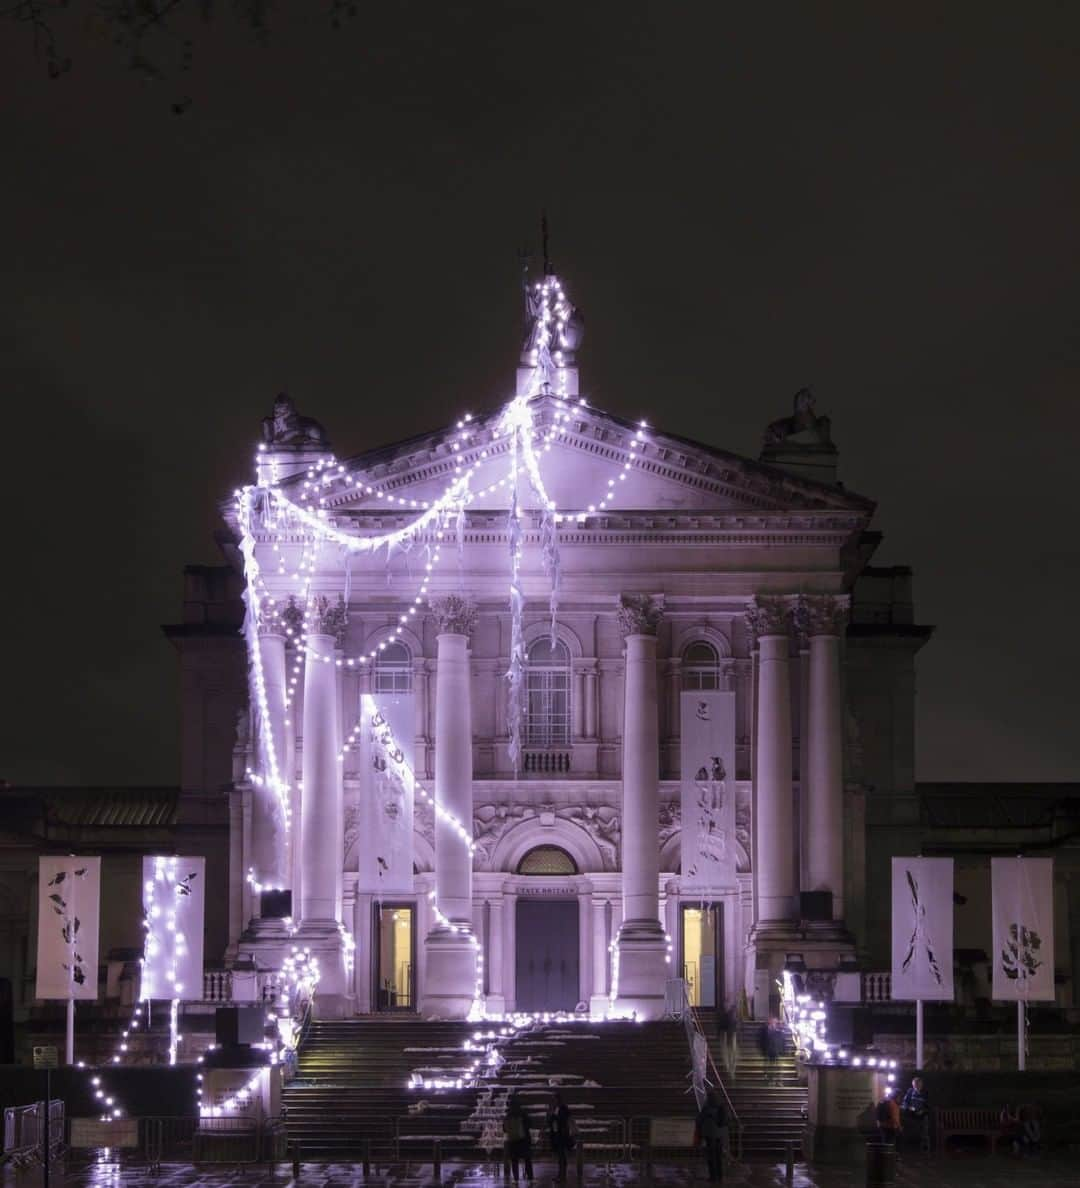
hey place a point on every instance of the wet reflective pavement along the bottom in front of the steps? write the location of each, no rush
(962, 1172)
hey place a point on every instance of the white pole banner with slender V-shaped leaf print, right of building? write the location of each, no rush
(923, 930)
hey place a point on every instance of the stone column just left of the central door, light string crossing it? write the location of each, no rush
(451, 945)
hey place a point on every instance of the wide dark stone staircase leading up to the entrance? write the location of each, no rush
(352, 1090)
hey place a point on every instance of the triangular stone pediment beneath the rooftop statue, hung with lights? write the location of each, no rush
(583, 456)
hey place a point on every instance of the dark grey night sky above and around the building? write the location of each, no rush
(880, 201)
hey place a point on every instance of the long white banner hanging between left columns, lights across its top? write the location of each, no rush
(384, 851)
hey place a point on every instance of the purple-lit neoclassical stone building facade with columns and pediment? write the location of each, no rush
(534, 852)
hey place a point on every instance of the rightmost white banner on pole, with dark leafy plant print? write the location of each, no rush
(1024, 928)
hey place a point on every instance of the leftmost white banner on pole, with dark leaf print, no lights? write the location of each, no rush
(70, 908)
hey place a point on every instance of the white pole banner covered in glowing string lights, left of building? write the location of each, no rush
(174, 905)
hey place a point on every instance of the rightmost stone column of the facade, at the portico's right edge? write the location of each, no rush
(824, 801)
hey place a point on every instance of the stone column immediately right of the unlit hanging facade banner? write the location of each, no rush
(774, 823)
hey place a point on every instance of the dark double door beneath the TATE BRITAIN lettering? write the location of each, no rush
(547, 956)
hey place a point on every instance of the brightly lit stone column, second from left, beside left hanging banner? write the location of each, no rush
(321, 811)
